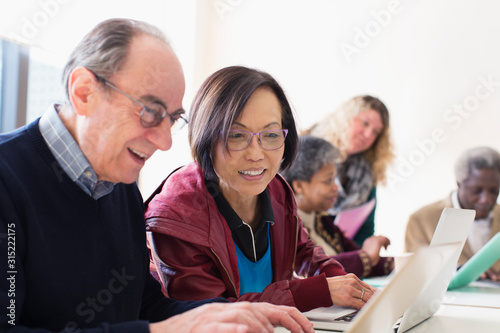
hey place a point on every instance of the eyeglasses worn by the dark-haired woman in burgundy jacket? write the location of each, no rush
(269, 140)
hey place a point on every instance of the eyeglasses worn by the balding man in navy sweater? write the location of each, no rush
(151, 115)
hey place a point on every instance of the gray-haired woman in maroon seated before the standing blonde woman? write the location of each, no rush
(312, 178)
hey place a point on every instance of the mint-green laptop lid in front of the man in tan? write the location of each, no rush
(477, 264)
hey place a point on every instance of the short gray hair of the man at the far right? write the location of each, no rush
(476, 158)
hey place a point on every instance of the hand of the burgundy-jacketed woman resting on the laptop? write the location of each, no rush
(349, 290)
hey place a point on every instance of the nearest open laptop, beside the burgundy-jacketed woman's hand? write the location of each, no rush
(387, 305)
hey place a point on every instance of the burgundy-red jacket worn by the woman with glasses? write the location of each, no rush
(194, 256)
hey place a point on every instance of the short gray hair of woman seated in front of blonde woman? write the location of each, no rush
(313, 154)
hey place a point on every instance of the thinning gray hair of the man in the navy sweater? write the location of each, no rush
(104, 49)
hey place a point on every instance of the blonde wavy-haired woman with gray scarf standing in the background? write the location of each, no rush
(359, 128)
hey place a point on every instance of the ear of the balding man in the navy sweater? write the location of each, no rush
(82, 85)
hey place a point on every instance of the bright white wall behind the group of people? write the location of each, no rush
(423, 60)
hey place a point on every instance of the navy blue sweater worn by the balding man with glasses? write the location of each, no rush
(69, 262)
